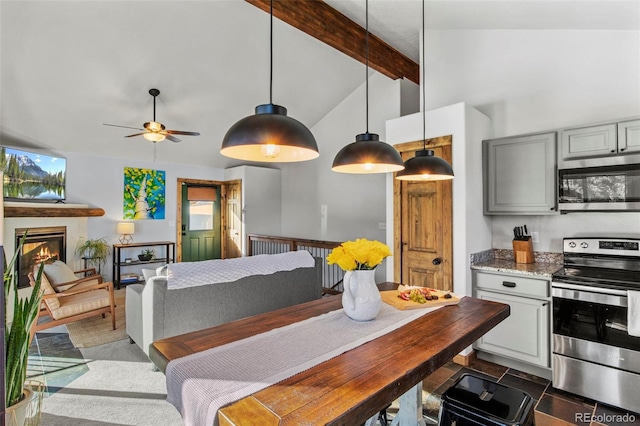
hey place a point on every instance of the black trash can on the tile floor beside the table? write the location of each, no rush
(476, 401)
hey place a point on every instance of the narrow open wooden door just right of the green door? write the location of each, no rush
(232, 234)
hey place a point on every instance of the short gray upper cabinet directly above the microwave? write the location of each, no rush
(601, 140)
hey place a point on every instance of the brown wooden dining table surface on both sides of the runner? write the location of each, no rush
(354, 386)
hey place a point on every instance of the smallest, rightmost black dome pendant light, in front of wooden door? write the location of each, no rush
(425, 165)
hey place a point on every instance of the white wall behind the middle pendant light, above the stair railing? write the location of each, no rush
(355, 203)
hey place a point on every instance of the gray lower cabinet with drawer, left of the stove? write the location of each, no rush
(525, 334)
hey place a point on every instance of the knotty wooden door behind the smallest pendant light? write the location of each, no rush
(423, 243)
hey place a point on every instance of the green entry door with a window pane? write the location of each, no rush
(201, 230)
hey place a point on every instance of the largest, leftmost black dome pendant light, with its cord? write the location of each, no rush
(269, 135)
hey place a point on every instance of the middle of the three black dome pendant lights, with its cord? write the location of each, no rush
(367, 154)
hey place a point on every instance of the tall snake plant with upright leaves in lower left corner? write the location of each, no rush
(18, 339)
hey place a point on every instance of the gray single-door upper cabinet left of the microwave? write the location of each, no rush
(520, 174)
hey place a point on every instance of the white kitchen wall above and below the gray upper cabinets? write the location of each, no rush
(531, 81)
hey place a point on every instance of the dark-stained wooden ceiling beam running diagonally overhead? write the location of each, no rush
(323, 22)
